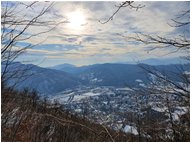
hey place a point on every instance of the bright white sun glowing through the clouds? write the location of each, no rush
(77, 20)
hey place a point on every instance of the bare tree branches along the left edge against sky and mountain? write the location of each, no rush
(17, 20)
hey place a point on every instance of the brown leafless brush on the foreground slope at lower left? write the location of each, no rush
(26, 118)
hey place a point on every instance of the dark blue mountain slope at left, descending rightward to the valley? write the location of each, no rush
(45, 81)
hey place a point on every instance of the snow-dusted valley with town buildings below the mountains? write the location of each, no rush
(114, 106)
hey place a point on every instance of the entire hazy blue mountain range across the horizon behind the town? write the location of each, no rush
(66, 76)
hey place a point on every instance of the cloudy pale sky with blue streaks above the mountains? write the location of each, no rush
(80, 38)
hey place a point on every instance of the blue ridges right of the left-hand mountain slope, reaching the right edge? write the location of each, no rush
(110, 74)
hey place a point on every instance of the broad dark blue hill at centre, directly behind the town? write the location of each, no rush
(113, 74)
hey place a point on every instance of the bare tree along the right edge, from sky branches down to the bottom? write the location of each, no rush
(172, 93)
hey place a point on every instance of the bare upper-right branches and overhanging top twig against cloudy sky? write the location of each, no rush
(181, 41)
